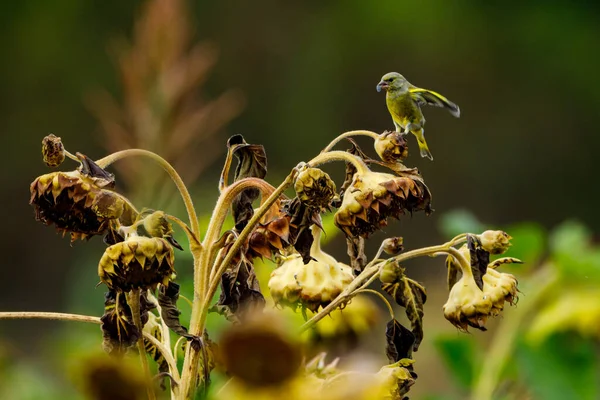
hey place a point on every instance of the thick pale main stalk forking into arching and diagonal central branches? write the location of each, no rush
(201, 304)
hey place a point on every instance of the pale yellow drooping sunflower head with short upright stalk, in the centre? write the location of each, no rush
(309, 285)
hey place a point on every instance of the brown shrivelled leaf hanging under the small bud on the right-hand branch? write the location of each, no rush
(412, 296)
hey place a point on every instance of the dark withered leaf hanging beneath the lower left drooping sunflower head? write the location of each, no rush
(118, 329)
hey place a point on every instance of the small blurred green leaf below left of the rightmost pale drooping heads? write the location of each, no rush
(459, 356)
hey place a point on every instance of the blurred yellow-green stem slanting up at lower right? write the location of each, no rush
(503, 342)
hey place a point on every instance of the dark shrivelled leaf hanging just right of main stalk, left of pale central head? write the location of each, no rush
(240, 292)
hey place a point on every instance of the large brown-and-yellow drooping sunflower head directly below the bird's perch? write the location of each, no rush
(372, 197)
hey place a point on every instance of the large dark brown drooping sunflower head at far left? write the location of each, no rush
(80, 202)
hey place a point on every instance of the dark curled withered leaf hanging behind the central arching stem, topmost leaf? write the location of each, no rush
(252, 162)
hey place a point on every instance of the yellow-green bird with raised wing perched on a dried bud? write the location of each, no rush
(404, 102)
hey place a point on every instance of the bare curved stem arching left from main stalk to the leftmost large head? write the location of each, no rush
(183, 191)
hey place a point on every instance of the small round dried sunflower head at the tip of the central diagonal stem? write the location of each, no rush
(315, 188)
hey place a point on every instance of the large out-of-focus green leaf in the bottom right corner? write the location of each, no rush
(563, 367)
